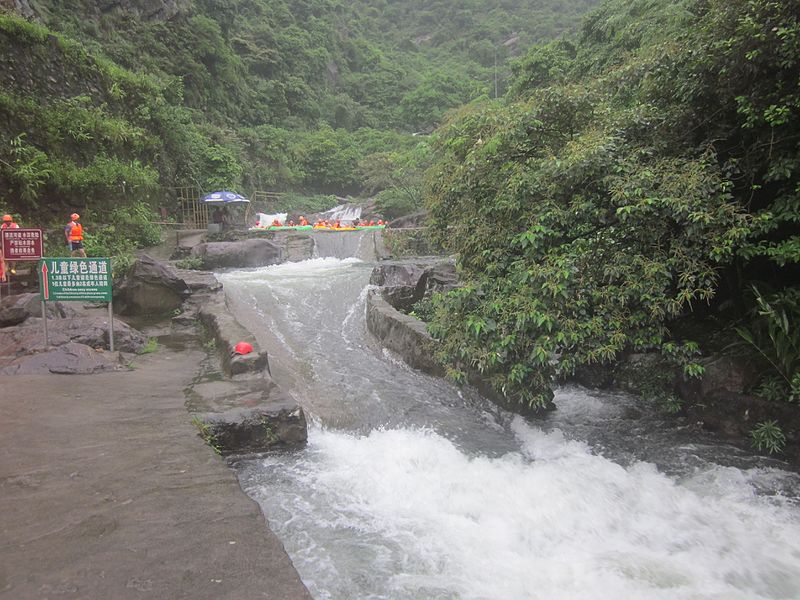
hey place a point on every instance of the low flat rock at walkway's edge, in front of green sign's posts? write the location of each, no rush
(69, 359)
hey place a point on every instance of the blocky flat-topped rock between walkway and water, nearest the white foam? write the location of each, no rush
(247, 416)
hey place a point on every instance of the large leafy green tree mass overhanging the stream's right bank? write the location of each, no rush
(639, 174)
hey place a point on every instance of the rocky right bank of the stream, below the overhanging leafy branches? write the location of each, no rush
(722, 402)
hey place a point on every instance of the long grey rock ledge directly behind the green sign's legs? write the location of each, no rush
(90, 331)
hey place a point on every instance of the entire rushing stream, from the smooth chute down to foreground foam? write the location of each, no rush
(412, 489)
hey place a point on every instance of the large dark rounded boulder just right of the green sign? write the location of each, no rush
(149, 288)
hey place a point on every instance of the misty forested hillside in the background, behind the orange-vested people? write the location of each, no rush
(318, 96)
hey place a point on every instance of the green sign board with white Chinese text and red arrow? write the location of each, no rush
(84, 279)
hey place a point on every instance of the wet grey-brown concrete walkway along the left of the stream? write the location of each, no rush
(107, 492)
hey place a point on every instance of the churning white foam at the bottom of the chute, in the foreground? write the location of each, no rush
(552, 522)
